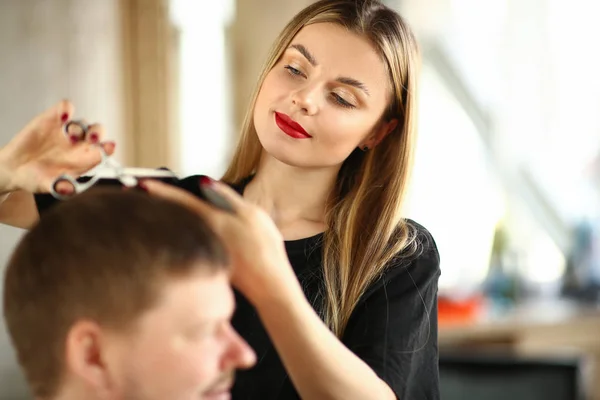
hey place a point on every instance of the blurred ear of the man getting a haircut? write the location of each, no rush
(85, 356)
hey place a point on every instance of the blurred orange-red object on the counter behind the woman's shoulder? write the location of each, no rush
(464, 311)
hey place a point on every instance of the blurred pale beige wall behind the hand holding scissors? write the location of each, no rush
(53, 49)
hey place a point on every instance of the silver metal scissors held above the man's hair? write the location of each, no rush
(113, 170)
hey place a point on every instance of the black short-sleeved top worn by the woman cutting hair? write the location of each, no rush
(393, 328)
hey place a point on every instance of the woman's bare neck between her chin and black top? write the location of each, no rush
(294, 197)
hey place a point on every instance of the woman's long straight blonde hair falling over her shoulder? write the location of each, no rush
(365, 229)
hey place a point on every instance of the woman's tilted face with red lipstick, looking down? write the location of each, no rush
(324, 97)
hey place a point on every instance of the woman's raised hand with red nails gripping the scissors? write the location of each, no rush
(41, 152)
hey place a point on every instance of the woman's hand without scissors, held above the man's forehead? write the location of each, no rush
(261, 269)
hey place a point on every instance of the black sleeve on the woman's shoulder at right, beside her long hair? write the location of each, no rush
(394, 327)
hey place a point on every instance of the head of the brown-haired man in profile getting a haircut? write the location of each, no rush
(120, 295)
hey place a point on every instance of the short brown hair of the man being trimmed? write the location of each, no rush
(101, 255)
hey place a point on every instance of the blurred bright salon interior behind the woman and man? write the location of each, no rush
(508, 161)
